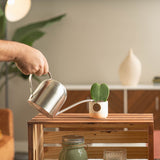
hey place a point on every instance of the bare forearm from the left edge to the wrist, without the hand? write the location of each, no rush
(8, 50)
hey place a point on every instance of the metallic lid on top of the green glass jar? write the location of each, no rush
(72, 139)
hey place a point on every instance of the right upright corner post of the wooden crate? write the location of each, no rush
(150, 142)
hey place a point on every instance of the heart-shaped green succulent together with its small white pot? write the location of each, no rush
(99, 107)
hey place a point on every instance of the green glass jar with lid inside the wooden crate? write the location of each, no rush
(73, 148)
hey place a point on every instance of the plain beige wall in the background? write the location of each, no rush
(89, 44)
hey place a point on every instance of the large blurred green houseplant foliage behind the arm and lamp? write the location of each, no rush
(28, 35)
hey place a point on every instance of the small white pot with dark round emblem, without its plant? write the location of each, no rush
(98, 109)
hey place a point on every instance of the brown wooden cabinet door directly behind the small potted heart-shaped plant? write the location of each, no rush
(115, 100)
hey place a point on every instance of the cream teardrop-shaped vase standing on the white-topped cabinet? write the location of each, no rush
(130, 70)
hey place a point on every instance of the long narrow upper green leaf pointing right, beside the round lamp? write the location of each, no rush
(24, 31)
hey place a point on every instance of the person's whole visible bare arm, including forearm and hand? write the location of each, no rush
(28, 59)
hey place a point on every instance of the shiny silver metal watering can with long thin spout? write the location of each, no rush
(49, 97)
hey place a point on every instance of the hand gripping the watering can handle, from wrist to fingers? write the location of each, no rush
(31, 61)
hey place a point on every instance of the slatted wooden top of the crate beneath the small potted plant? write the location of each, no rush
(84, 118)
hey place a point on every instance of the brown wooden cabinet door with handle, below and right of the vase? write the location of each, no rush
(144, 101)
